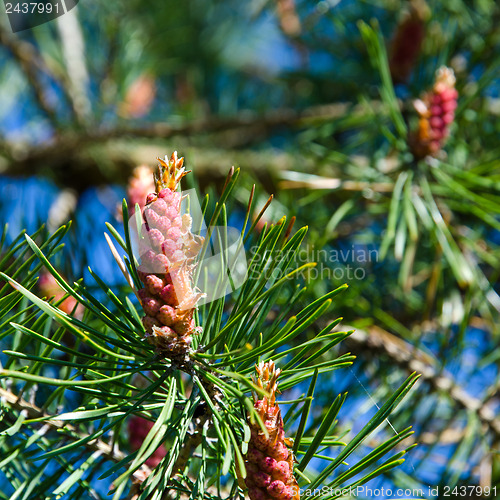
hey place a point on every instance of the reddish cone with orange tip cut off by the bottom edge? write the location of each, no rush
(268, 462)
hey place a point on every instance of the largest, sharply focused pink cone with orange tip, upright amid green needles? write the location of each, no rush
(166, 265)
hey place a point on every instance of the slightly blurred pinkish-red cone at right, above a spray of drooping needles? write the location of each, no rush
(436, 112)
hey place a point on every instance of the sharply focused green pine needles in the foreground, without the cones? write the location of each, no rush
(85, 377)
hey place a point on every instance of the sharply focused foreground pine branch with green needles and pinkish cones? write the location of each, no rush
(183, 389)
